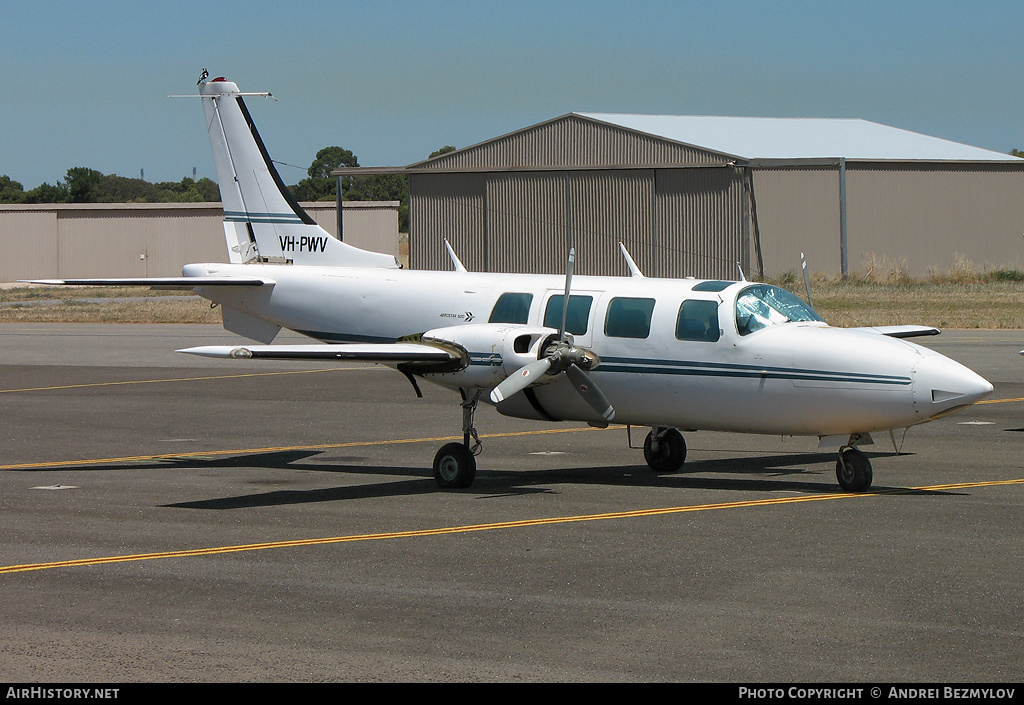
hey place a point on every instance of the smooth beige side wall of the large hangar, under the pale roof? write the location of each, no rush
(920, 219)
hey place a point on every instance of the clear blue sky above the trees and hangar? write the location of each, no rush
(87, 84)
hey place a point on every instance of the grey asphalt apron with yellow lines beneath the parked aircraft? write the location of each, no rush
(165, 518)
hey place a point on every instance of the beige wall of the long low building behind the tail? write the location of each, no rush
(66, 241)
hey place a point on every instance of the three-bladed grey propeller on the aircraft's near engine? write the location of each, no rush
(561, 356)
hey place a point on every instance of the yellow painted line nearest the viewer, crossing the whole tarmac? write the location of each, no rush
(442, 531)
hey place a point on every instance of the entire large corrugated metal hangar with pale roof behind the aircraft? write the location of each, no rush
(702, 196)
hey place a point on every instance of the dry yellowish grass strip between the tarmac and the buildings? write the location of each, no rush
(884, 298)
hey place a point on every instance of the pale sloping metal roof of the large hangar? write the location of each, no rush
(752, 139)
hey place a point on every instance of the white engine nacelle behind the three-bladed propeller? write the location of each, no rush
(494, 351)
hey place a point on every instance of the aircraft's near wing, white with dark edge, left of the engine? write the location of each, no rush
(370, 353)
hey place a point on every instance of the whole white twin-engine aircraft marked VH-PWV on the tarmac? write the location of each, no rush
(667, 354)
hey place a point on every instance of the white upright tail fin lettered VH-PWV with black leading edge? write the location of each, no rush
(263, 222)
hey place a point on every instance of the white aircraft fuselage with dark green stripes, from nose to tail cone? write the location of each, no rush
(800, 379)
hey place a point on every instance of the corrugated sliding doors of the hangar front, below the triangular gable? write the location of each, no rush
(675, 223)
